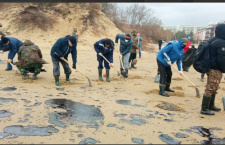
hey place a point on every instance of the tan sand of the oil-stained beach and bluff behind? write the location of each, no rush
(121, 111)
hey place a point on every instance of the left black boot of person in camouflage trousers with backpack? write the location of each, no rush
(205, 105)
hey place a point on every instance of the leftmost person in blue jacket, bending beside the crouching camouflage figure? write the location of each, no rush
(13, 45)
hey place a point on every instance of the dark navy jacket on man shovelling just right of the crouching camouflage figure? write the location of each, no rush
(62, 48)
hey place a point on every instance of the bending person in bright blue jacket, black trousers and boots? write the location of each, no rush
(172, 52)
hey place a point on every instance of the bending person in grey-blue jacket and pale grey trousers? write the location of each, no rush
(125, 47)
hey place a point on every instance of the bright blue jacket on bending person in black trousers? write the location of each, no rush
(173, 51)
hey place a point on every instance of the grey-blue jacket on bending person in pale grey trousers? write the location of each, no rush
(125, 47)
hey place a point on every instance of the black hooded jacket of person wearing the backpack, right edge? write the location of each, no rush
(217, 49)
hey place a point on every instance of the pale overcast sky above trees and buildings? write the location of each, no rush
(187, 13)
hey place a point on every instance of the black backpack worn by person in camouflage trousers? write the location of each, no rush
(201, 61)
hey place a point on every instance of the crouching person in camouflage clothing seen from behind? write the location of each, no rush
(30, 60)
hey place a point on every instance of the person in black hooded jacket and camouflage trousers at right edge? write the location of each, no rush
(214, 76)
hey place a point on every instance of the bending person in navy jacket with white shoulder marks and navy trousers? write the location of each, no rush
(104, 47)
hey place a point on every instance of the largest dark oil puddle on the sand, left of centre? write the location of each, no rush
(75, 113)
